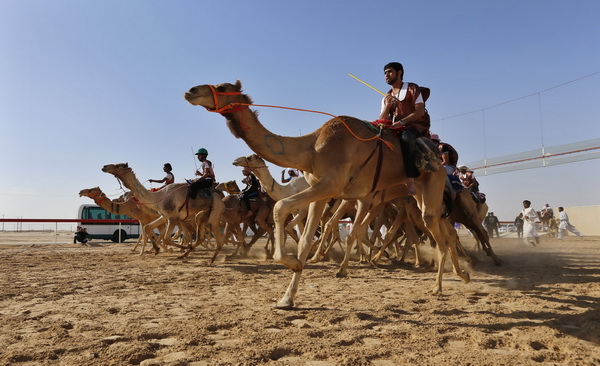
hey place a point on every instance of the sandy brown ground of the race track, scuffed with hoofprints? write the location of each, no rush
(100, 304)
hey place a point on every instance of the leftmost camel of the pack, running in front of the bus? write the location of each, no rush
(142, 213)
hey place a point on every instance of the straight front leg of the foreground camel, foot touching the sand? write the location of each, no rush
(304, 247)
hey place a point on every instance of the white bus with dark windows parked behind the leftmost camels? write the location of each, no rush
(107, 231)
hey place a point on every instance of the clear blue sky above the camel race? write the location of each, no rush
(89, 83)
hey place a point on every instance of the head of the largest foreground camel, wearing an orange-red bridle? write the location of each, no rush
(215, 97)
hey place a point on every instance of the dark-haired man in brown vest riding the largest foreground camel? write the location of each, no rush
(404, 106)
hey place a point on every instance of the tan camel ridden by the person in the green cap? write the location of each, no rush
(176, 208)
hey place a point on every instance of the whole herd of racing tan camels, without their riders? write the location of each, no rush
(347, 173)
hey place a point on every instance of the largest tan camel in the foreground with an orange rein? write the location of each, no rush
(336, 161)
